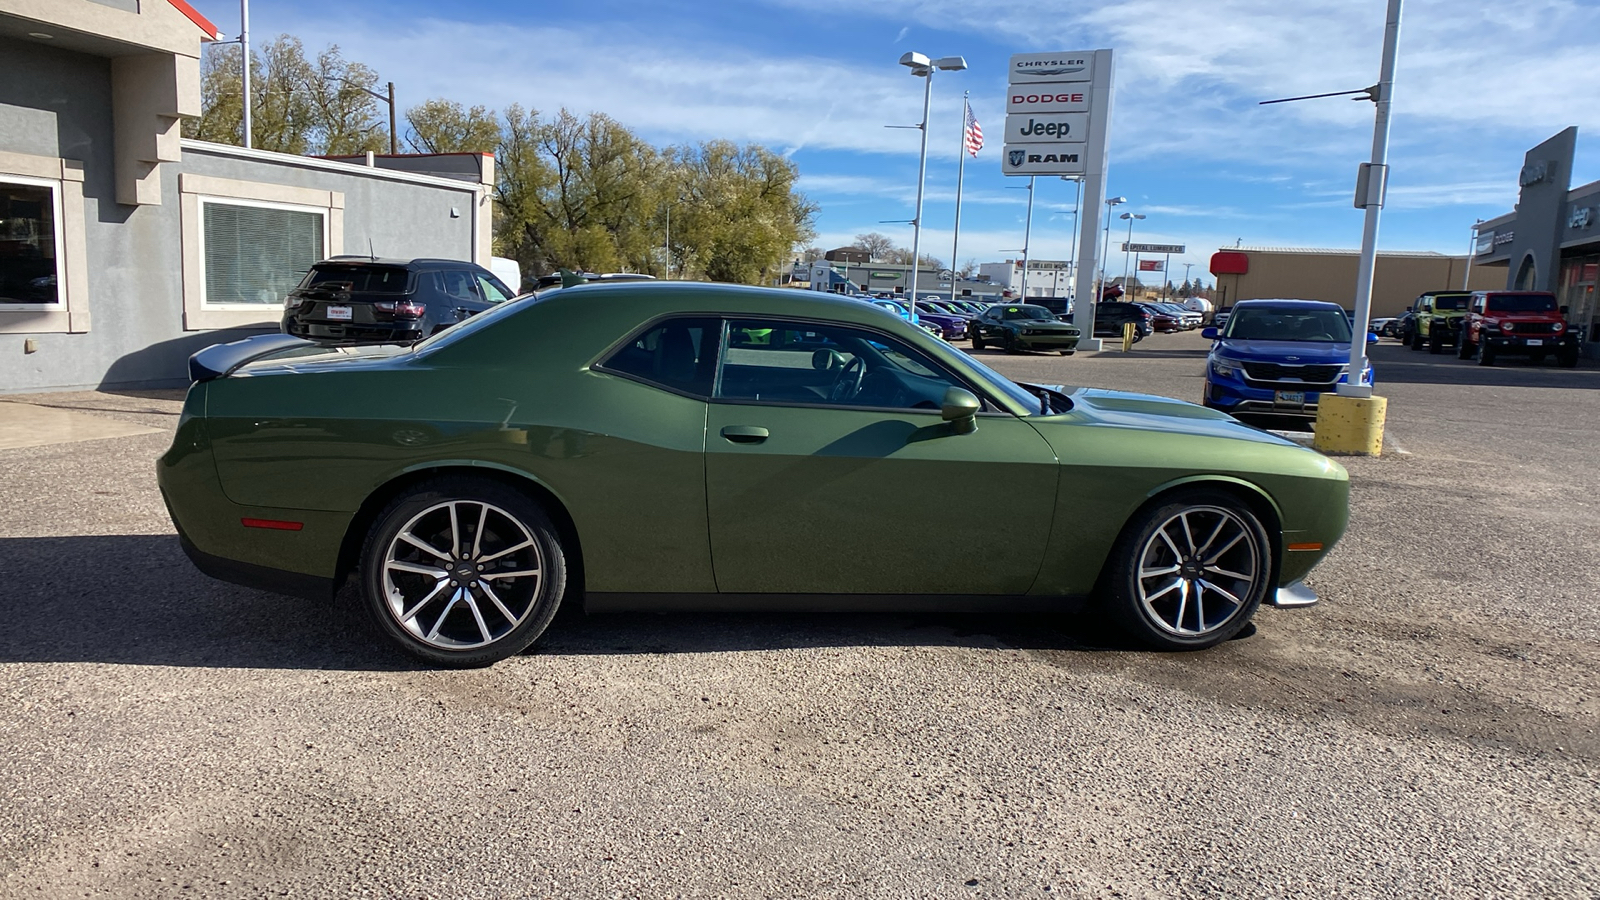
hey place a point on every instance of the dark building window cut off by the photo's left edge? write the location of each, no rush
(30, 244)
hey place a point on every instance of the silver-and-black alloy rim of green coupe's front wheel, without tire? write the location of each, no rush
(1198, 571)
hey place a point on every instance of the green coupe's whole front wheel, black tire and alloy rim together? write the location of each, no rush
(1190, 573)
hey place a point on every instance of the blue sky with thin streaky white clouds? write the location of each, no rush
(1479, 84)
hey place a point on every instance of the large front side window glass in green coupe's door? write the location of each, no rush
(822, 364)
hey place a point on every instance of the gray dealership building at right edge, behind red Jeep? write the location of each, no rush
(1553, 239)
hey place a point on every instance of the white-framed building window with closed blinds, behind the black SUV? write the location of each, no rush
(257, 254)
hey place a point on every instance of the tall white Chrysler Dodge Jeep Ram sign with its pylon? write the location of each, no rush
(1058, 119)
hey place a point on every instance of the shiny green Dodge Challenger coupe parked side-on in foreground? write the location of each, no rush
(686, 446)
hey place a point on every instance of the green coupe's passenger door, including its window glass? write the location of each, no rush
(830, 470)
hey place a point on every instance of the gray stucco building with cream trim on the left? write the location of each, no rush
(124, 247)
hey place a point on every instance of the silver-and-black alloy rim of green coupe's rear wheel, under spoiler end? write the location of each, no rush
(462, 576)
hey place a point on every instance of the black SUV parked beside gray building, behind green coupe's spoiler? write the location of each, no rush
(383, 302)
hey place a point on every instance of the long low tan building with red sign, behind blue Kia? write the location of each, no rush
(1273, 273)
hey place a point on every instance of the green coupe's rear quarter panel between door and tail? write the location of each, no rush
(626, 460)
